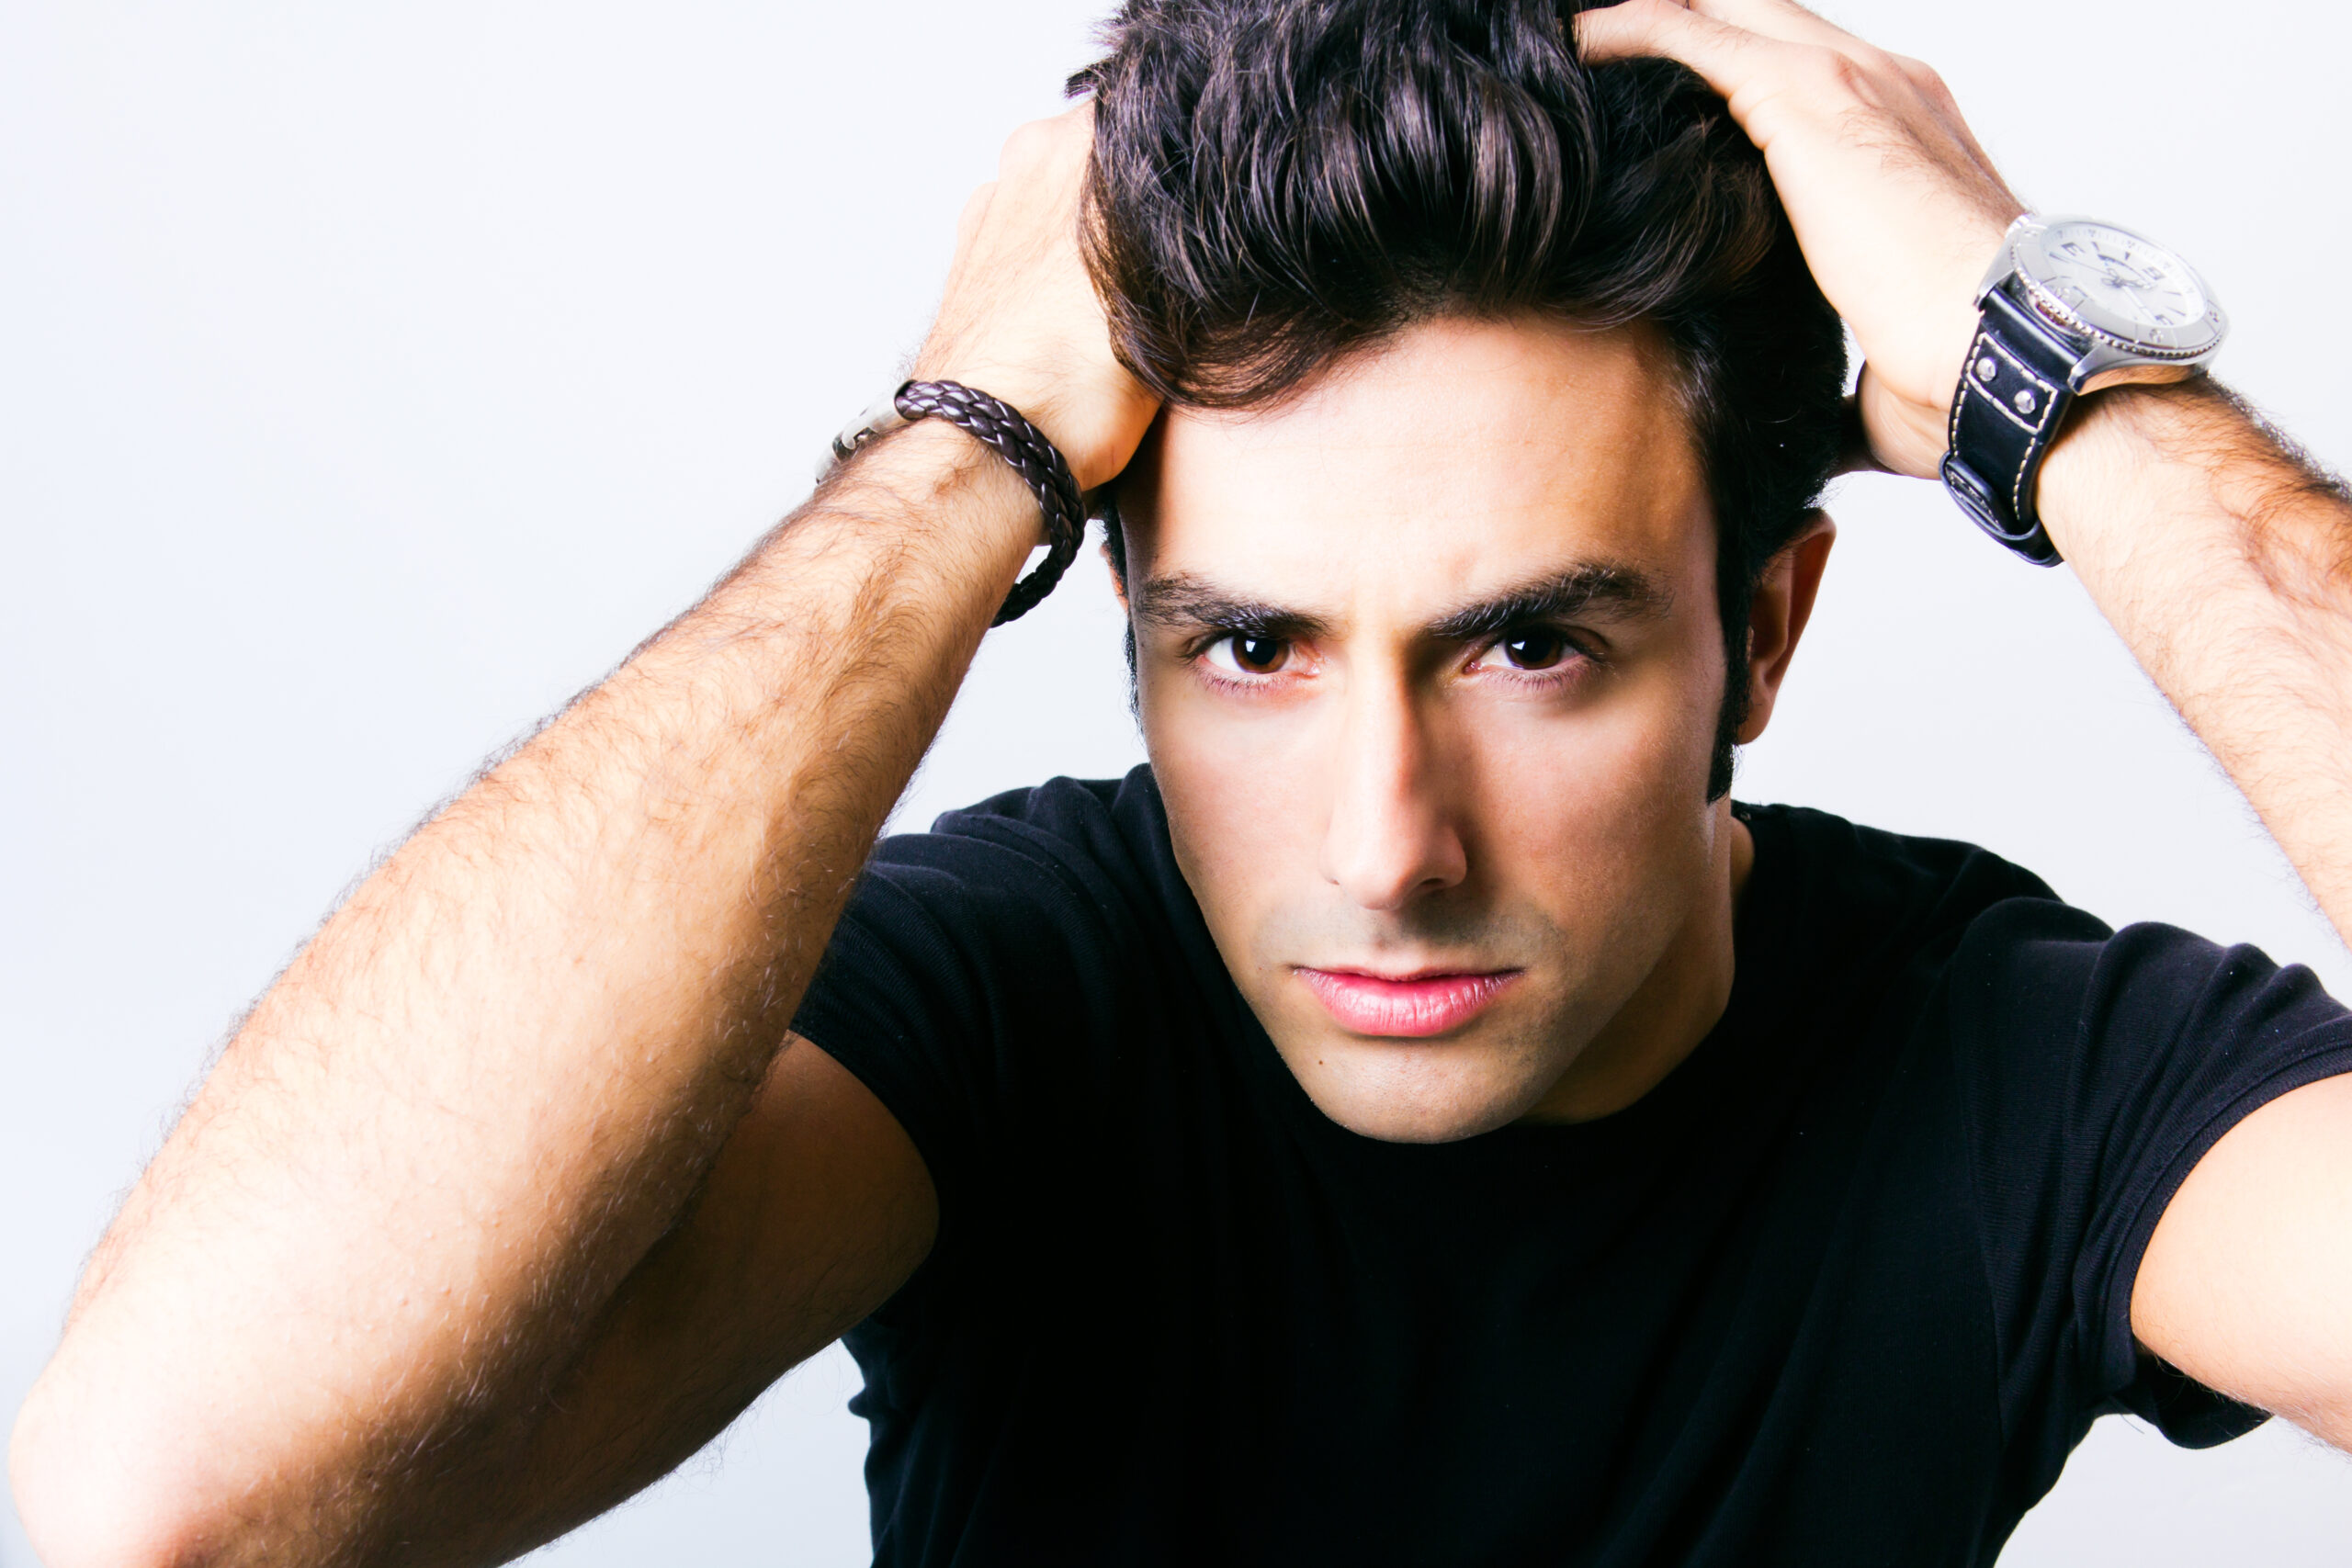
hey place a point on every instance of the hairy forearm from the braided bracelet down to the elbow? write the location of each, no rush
(493, 1080)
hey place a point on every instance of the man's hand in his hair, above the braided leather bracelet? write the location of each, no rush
(1020, 319)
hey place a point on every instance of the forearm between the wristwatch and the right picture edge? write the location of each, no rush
(2221, 558)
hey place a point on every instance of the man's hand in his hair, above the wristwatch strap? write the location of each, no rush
(1892, 199)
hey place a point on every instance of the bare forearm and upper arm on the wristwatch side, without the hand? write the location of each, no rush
(2243, 612)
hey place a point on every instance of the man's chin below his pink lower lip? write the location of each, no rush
(1415, 1092)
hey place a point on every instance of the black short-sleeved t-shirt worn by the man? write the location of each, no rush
(1843, 1289)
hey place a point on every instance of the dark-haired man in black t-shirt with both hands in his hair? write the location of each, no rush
(1422, 1120)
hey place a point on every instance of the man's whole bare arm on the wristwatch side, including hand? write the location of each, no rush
(2214, 549)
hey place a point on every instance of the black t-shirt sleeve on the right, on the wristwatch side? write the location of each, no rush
(2099, 1071)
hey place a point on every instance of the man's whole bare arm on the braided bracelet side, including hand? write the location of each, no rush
(425, 1271)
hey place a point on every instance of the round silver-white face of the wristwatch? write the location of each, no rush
(2118, 286)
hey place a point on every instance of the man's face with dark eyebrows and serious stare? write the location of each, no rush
(1431, 669)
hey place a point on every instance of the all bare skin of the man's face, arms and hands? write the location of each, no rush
(516, 1188)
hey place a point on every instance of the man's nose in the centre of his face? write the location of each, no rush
(1391, 836)
